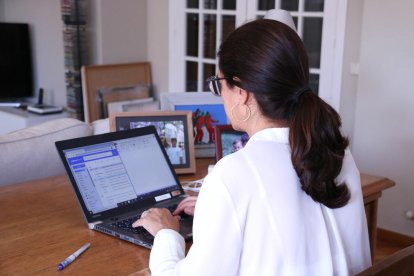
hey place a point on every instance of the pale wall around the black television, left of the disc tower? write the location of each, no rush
(47, 43)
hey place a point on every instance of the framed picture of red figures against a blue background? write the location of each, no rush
(207, 112)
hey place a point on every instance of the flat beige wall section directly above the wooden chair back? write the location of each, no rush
(118, 31)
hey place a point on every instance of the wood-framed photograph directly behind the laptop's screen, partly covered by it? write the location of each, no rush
(175, 129)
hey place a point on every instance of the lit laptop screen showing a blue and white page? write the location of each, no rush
(117, 173)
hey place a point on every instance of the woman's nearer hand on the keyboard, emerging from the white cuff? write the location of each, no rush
(155, 219)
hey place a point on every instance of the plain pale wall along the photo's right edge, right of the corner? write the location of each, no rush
(384, 119)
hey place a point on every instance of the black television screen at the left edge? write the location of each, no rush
(16, 72)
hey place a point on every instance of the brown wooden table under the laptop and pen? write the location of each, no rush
(41, 224)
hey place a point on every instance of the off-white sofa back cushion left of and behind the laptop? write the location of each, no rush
(30, 153)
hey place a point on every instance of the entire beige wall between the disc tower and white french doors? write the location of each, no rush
(131, 30)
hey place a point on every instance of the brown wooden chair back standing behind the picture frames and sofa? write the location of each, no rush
(113, 82)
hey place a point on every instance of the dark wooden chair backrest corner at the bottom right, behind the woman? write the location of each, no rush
(400, 263)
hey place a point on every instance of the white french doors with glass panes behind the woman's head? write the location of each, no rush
(197, 28)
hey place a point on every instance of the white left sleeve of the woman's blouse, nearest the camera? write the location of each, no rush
(217, 238)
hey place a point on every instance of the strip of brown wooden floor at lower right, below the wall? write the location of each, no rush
(387, 245)
